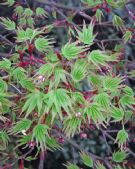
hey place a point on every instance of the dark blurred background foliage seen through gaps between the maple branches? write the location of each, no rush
(91, 140)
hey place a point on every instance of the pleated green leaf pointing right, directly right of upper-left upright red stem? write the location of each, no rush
(42, 44)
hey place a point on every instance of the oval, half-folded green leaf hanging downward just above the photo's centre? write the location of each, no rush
(79, 70)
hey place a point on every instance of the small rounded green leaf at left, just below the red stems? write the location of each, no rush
(19, 74)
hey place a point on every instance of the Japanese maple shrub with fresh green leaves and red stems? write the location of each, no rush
(43, 102)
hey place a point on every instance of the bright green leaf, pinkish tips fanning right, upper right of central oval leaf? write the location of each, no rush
(98, 58)
